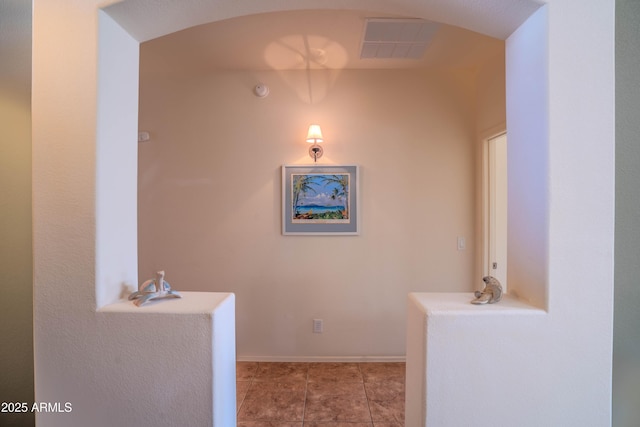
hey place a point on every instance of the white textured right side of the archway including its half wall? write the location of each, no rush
(561, 157)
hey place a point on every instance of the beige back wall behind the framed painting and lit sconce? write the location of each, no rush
(210, 200)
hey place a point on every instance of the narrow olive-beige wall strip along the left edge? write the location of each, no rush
(16, 261)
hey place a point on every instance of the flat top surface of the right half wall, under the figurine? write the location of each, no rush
(459, 304)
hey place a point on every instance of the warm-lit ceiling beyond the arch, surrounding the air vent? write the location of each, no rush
(317, 39)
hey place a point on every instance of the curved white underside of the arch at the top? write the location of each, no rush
(148, 19)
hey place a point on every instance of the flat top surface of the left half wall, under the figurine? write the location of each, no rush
(190, 303)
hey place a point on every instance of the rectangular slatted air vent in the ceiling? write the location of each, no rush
(396, 38)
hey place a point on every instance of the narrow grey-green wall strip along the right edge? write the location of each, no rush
(626, 362)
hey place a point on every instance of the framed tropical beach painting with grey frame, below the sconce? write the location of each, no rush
(320, 200)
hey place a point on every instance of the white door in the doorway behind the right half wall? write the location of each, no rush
(498, 209)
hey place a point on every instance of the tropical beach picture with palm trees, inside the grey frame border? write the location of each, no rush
(320, 198)
